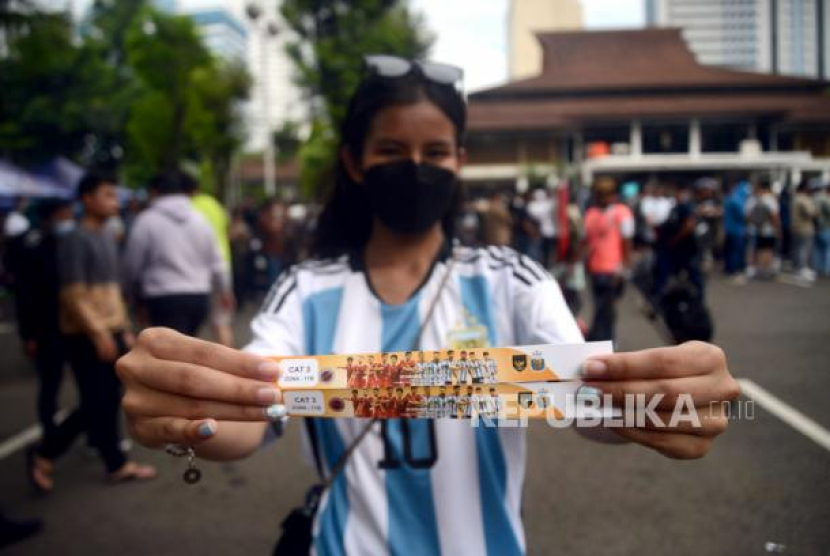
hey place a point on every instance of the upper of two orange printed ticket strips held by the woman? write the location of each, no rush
(448, 367)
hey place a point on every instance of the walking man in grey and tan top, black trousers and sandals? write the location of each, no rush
(96, 332)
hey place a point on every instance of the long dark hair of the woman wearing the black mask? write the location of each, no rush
(346, 220)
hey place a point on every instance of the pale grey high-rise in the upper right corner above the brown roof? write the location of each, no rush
(776, 36)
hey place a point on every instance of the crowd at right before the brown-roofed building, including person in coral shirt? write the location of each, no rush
(663, 231)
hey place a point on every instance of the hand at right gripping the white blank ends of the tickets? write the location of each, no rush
(692, 375)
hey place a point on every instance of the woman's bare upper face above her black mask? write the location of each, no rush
(418, 132)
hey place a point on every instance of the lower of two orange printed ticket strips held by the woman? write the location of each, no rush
(529, 400)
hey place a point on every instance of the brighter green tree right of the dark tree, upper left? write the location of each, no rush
(188, 106)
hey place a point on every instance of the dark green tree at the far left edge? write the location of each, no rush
(64, 91)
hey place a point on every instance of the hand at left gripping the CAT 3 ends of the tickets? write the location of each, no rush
(179, 389)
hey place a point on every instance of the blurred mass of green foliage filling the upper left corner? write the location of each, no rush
(131, 87)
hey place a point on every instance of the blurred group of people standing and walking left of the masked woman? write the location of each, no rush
(86, 272)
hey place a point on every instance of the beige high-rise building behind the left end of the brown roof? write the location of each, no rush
(528, 17)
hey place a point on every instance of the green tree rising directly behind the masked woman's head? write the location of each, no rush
(332, 37)
